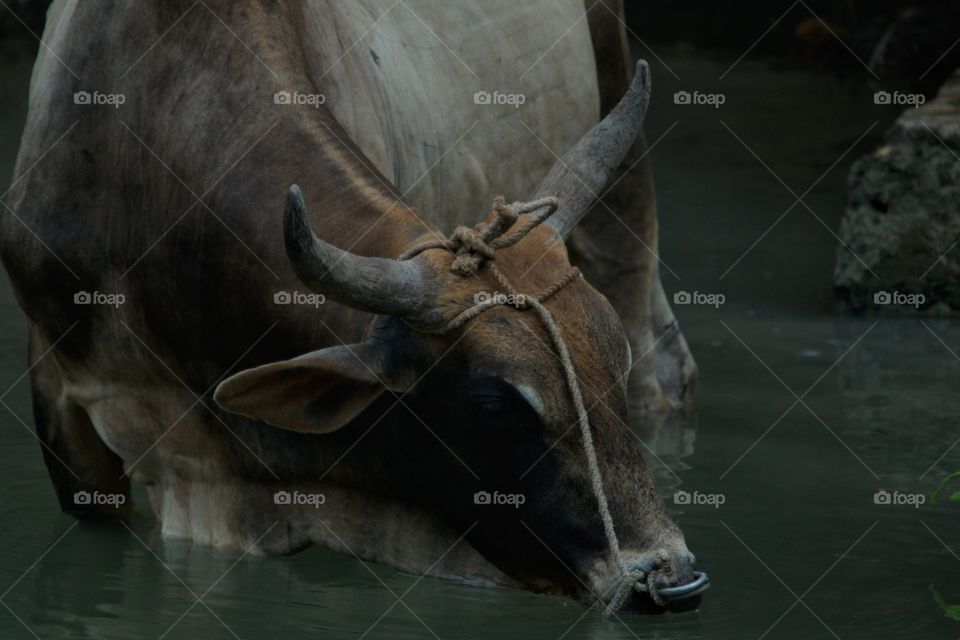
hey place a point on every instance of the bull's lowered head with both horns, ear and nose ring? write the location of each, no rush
(494, 393)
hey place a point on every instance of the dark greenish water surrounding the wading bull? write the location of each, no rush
(798, 549)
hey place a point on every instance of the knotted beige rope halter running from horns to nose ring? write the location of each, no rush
(475, 248)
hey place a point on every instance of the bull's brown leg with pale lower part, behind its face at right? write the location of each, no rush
(616, 247)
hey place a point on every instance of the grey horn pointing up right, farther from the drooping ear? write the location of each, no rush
(580, 176)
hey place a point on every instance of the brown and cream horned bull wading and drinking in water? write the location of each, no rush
(390, 118)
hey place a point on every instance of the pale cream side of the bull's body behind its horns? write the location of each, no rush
(461, 104)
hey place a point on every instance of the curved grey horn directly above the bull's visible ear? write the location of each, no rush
(377, 285)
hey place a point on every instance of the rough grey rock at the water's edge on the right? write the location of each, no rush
(902, 218)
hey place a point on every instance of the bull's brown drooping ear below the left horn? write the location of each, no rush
(317, 392)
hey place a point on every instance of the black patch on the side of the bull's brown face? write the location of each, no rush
(490, 472)
